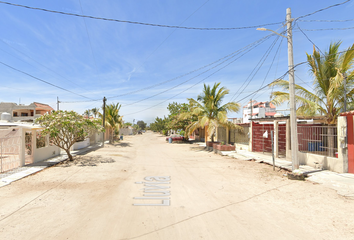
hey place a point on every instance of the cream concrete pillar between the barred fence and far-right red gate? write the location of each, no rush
(342, 143)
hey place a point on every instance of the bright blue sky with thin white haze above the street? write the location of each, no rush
(96, 58)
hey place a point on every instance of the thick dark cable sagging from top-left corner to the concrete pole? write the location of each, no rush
(134, 22)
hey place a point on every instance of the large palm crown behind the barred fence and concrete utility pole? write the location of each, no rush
(328, 72)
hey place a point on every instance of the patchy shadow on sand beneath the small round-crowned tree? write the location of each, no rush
(86, 161)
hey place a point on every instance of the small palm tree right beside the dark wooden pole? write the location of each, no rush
(113, 119)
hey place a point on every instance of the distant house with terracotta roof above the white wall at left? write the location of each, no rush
(24, 113)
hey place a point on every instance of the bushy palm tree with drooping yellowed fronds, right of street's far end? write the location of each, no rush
(211, 114)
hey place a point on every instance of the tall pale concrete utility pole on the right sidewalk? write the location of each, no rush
(293, 121)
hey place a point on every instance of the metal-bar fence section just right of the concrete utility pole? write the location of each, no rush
(318, 139)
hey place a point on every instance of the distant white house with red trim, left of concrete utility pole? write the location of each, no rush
(256, 109)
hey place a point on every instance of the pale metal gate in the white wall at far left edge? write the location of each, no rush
(10, 147)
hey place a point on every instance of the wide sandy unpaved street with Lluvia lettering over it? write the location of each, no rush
(211, 197)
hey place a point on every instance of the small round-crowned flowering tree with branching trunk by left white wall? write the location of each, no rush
(66, 127)
